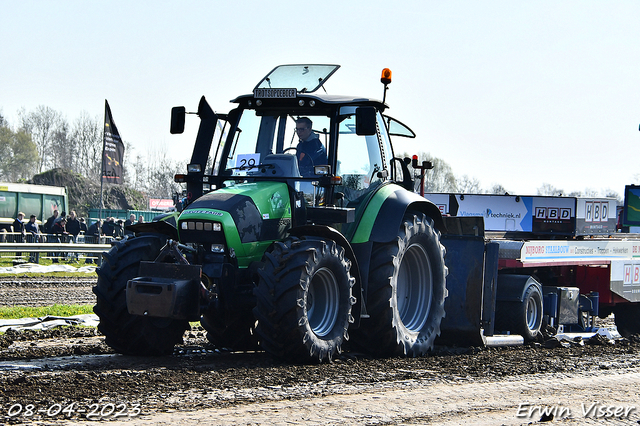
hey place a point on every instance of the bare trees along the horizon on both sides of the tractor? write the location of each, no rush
(44, 140)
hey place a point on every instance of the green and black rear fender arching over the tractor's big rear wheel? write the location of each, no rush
(385, 211)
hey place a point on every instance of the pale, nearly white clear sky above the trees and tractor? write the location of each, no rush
(515, 93)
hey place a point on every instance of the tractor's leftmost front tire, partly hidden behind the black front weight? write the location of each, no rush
(125, 333)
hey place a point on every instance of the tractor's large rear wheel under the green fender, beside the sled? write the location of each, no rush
(406, 293)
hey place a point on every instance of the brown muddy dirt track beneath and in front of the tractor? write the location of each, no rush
(70, 375)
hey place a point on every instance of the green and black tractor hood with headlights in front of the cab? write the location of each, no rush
(259, 211)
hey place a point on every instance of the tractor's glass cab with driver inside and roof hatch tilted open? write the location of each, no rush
(331, 149)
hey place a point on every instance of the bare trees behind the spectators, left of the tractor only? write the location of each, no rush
(43, 139)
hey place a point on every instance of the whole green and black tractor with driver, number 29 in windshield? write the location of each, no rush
(299, 231)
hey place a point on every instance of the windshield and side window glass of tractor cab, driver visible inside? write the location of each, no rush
(283, 146)
